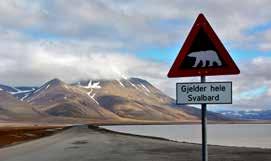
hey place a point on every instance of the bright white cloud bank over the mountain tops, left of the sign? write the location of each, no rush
(26, 62)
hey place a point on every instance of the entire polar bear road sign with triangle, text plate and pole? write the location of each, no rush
(203, 54)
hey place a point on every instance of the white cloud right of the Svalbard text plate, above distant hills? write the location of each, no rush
(251, 89)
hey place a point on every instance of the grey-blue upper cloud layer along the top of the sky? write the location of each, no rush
(136, 23)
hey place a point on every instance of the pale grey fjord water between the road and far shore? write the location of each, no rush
(241, 135)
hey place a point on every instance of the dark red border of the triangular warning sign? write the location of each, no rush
(230, 68)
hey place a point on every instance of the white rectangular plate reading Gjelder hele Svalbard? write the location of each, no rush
(208, 92)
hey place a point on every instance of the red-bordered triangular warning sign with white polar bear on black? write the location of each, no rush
(202, 54)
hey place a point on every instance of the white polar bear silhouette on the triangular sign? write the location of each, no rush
(204, 56)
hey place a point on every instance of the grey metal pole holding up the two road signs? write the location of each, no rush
(204, 126)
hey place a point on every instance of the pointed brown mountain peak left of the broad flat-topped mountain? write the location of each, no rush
(57, 98)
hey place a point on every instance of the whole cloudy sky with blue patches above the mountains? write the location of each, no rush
(110, 39)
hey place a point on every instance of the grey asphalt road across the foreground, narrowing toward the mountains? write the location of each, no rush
(84, 144)
